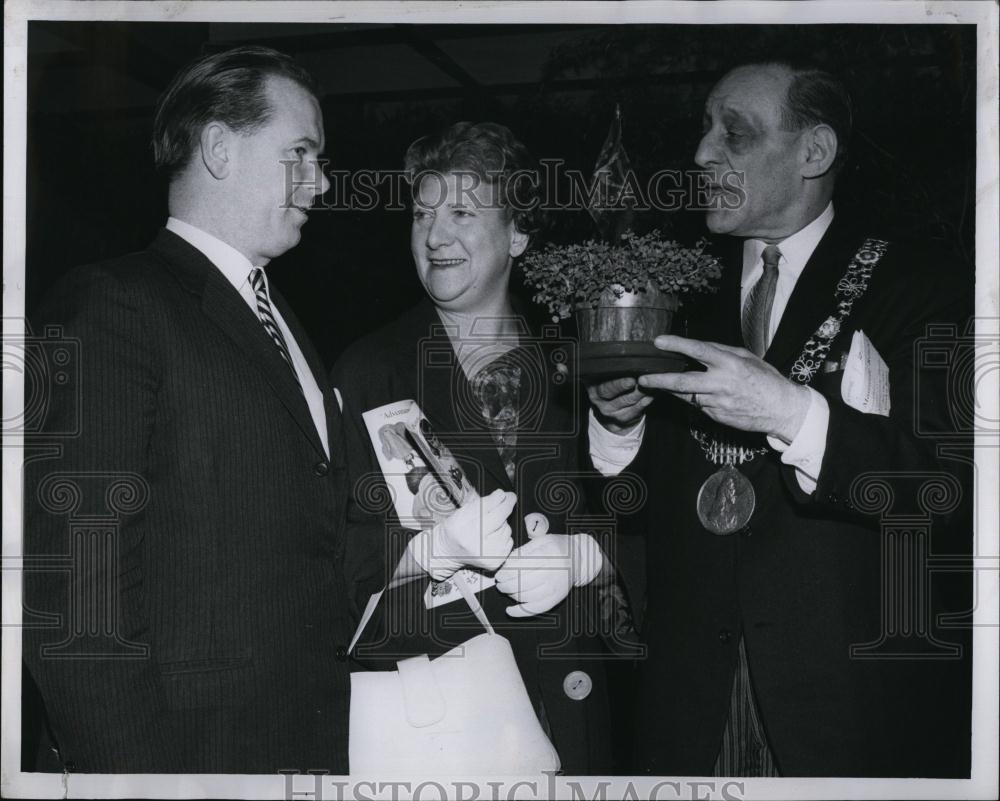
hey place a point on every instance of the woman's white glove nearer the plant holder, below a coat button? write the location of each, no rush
(541, 573)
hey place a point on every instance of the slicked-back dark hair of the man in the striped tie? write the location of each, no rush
(227, 87)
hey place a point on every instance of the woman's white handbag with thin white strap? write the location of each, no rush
(465, 712)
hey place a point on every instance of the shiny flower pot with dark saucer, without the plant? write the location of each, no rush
(616, 336)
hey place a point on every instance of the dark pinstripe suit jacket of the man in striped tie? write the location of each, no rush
(190, 605)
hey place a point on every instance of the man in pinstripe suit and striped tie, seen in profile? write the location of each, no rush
(201, 623)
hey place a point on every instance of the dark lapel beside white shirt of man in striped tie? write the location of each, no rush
(222, 304)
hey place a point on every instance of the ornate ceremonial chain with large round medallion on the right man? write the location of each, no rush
(726, 499)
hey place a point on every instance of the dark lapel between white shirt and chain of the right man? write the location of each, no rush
(812, 300)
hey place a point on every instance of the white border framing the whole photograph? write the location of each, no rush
(984, 781)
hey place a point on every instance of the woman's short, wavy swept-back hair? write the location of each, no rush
(491, 153)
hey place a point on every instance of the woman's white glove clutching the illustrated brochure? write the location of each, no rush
(477, 535)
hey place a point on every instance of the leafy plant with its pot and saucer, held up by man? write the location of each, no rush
(624, 293)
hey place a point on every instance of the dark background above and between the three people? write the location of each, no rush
(93, 194)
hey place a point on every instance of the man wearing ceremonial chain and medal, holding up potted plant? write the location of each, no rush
(777, 642)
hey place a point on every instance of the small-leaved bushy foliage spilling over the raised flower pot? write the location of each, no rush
(571, 276)
